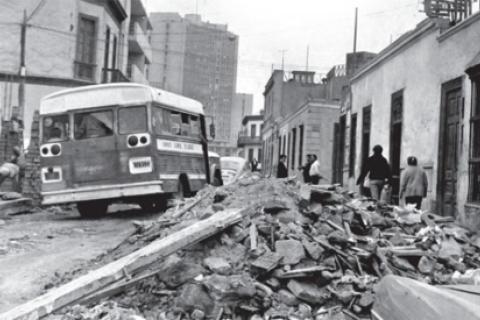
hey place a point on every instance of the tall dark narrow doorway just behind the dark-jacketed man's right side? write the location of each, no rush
(396, 117)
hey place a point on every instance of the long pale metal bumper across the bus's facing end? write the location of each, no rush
(101, 192)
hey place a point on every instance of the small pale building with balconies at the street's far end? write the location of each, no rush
(249, 139)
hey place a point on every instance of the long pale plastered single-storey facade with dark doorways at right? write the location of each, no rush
(419, 97)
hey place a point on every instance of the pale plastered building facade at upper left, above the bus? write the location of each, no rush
(68, 43)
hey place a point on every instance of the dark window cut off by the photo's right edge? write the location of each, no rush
(474, 194)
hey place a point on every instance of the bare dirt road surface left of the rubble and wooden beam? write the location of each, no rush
(34, 247)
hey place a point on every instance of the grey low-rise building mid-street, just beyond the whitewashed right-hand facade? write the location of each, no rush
(284, 97)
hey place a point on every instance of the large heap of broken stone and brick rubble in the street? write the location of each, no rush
(305, 252)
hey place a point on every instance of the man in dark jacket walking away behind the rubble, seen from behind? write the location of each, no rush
(379, 172)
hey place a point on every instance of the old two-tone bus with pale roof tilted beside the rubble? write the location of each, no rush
(120, 142)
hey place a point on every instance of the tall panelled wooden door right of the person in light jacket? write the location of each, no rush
(449, 147)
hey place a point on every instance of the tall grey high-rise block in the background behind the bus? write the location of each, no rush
(198, 59)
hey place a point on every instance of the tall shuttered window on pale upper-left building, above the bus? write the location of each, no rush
(86, 47)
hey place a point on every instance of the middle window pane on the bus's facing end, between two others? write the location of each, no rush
(93, 124)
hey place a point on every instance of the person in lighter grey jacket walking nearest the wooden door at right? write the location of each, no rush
(413, 183)
